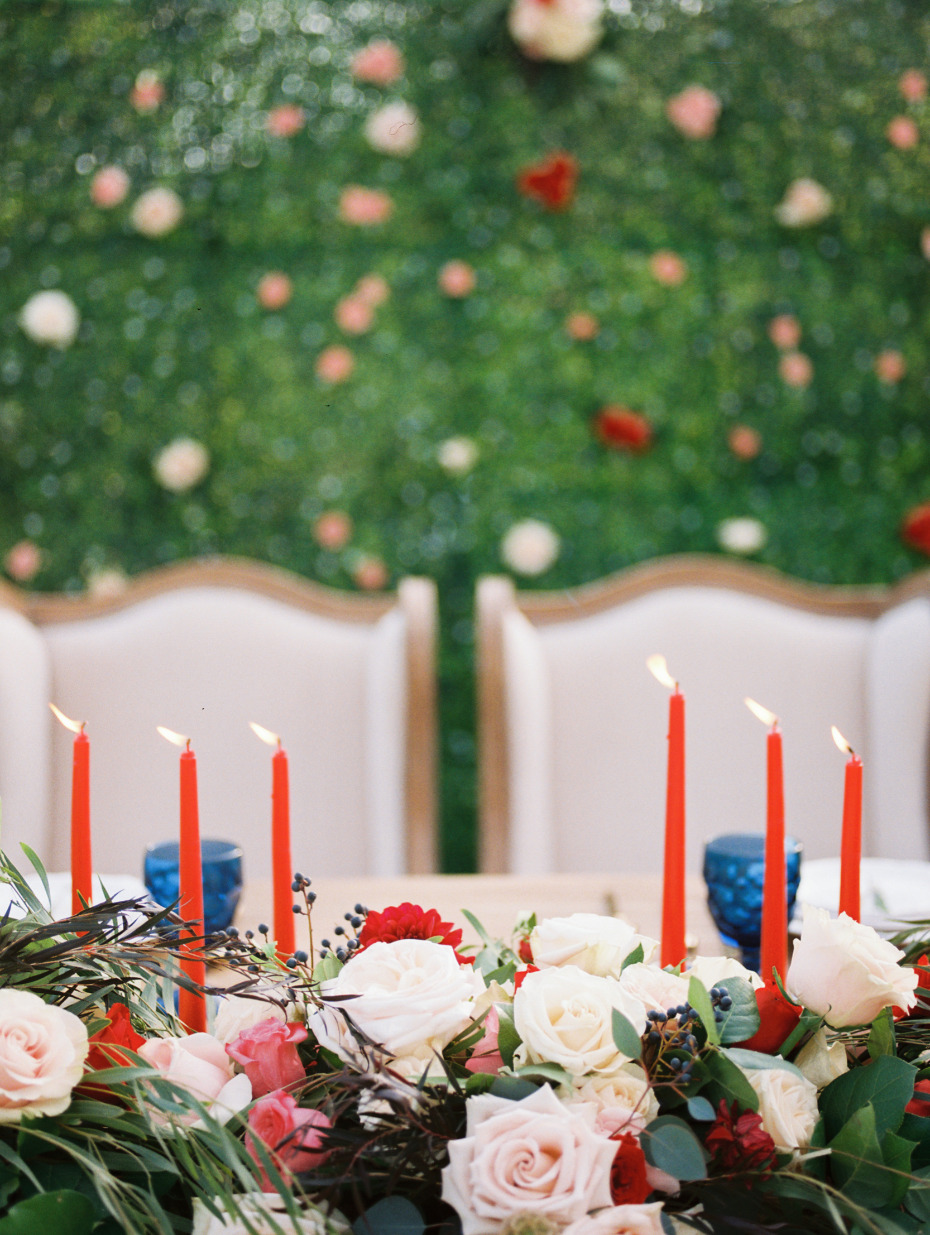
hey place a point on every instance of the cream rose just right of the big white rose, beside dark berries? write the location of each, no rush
(564, 1016)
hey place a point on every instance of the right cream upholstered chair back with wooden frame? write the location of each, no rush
(574, 728)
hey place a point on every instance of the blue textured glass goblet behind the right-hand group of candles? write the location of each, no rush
(734, 873)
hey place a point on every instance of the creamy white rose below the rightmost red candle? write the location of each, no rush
(847, 973)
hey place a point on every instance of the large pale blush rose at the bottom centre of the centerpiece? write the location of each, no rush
(534, 1157)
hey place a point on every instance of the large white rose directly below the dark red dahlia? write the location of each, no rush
(414, 998)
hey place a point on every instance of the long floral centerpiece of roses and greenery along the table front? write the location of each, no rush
(396, 1081)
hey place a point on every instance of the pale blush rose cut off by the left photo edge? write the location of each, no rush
(43, 1053)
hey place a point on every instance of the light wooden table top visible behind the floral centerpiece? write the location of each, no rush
(497, 901)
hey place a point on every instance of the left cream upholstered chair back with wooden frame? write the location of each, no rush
(203, 649)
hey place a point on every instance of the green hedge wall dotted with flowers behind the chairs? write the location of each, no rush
(174, 341)
